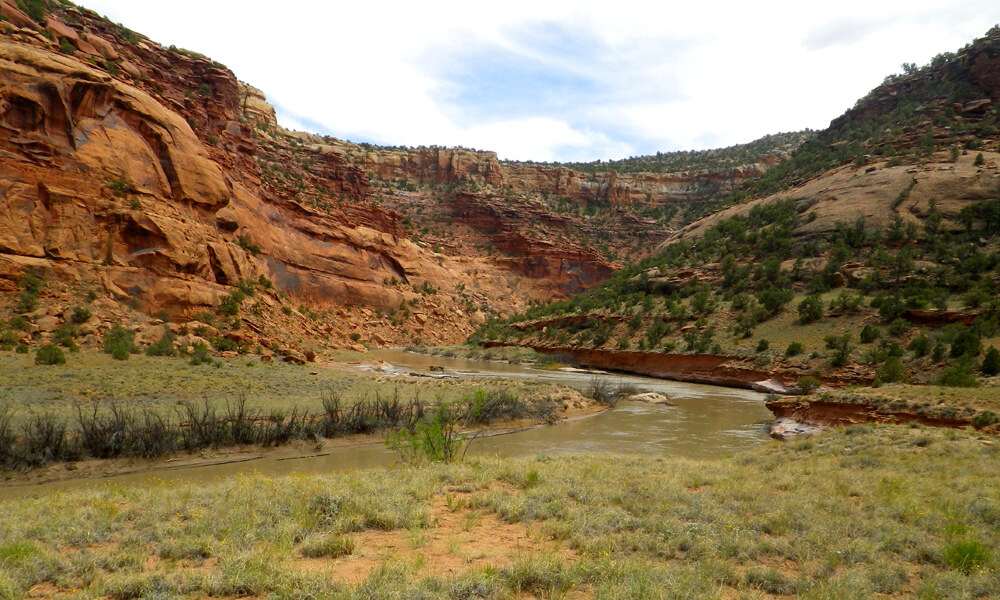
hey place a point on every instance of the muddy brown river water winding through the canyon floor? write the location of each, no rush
(707, 422)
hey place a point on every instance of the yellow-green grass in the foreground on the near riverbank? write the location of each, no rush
(857, 513)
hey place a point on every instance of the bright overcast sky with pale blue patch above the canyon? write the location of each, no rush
(567, 81)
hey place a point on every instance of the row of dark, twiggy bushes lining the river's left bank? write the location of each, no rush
(118, 431)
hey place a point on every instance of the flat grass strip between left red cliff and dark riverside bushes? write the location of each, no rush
(93, 377)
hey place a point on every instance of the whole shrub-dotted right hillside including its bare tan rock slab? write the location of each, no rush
(869, 255)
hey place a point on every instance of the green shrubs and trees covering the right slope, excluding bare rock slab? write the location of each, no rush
(881, 304)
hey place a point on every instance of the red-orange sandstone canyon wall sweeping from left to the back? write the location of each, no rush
(143, 183)
